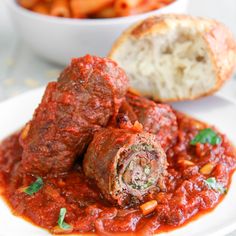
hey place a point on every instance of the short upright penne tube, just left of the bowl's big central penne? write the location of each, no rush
(60, 8)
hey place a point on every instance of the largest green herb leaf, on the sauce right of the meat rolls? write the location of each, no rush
(206, 136)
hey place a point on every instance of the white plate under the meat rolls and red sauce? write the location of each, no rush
(214, 110)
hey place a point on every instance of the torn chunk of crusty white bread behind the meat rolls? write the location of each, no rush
(176, 57)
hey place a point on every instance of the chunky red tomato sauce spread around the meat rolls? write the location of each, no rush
(186, 195)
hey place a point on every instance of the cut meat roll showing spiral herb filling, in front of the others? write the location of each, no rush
(125, 165)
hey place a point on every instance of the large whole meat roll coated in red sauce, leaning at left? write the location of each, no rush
(86, 97)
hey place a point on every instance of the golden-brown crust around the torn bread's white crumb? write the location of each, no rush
(219, 40)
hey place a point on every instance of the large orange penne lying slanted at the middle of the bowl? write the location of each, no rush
(86, 7)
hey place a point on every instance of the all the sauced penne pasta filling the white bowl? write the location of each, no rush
(92, 8)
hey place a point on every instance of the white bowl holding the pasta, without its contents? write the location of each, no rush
(60, 39)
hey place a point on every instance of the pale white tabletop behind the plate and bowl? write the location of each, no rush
(21, 70)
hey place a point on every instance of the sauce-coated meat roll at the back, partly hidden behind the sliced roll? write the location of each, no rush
(158, 119)
